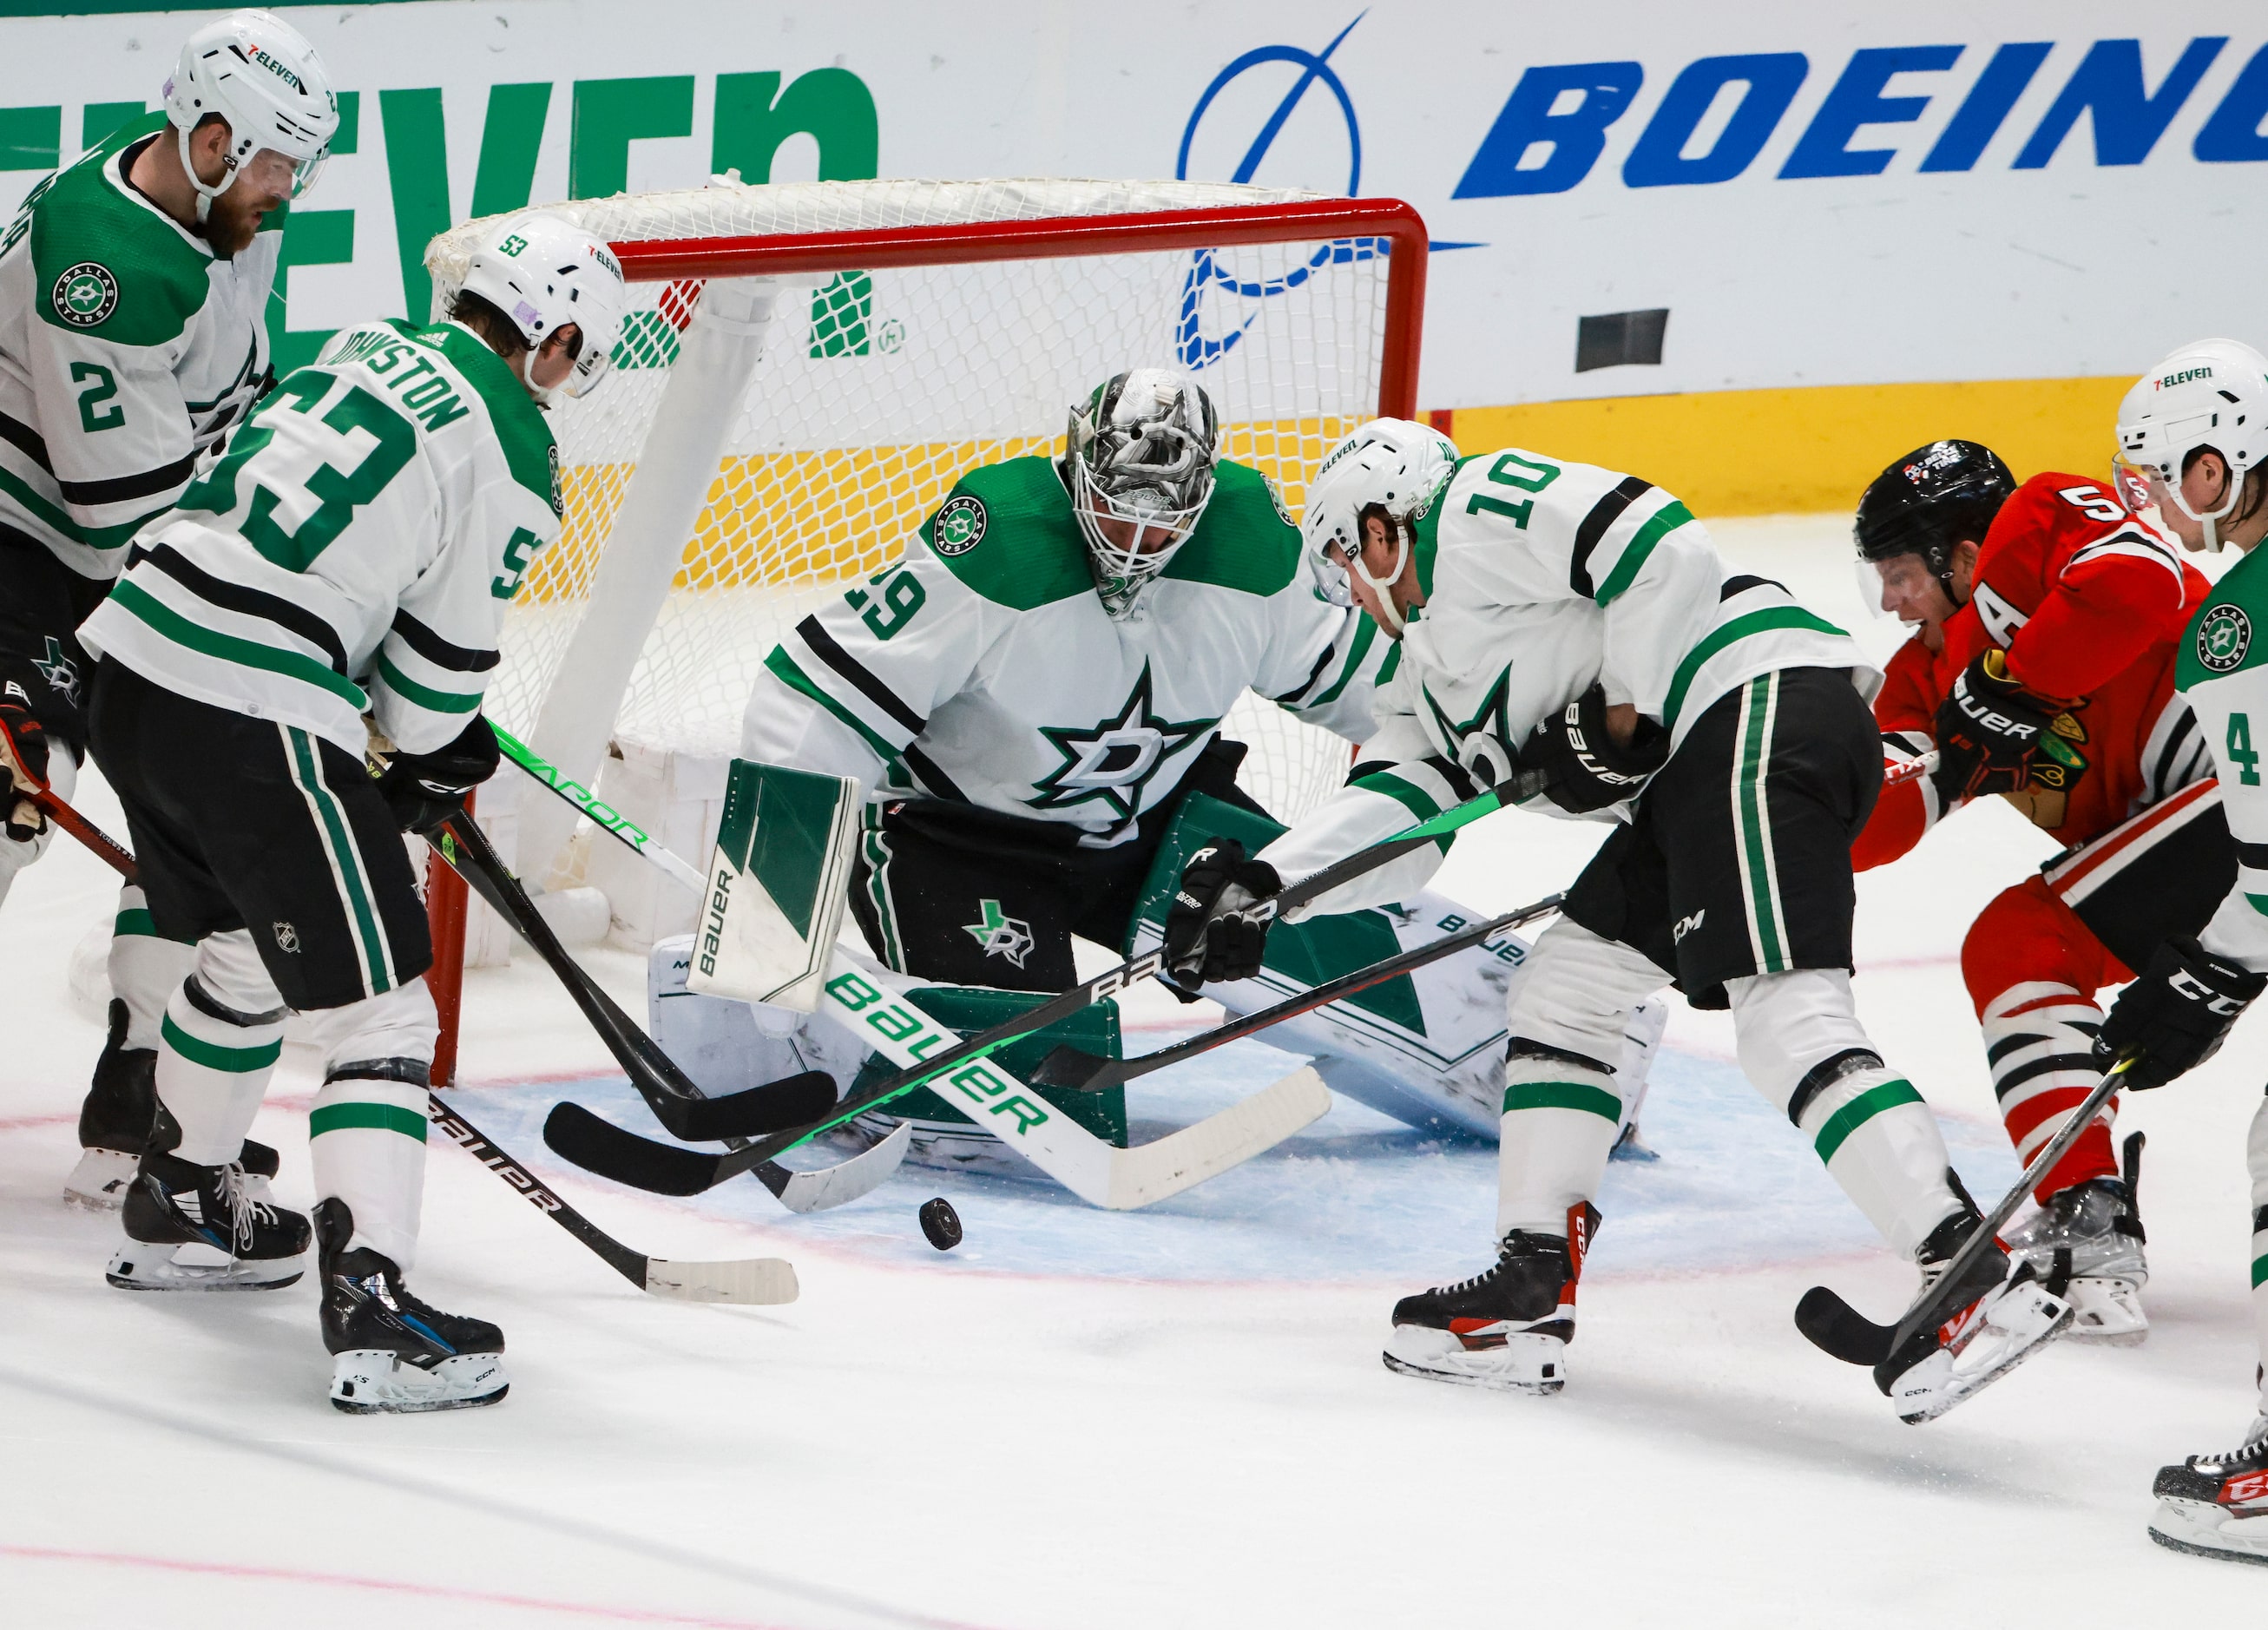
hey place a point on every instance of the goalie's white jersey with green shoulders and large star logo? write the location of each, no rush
(985, 670)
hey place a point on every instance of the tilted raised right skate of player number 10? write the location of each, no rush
(2011, 1318)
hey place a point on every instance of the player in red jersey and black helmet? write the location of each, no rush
(2042, 670)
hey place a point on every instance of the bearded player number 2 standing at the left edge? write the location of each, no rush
(133, 334)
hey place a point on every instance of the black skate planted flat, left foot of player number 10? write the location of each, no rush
(1505, 1330)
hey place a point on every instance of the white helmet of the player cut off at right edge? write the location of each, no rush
(2210, 393)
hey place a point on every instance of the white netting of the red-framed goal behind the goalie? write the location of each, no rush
(872, 393)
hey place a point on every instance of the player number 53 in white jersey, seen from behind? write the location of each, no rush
(353, 554)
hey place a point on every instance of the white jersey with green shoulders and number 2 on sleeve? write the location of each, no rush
(126, 350)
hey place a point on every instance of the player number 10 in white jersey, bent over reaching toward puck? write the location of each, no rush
(1580, 622)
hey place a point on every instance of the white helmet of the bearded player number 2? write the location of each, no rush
(269, 85)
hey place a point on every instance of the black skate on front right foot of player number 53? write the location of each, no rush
(391, 1355)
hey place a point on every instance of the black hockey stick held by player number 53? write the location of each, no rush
(672, 1098)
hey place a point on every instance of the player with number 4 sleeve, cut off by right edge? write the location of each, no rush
(2194, 443)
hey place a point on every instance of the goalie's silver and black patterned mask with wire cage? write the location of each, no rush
(1140, 468)
